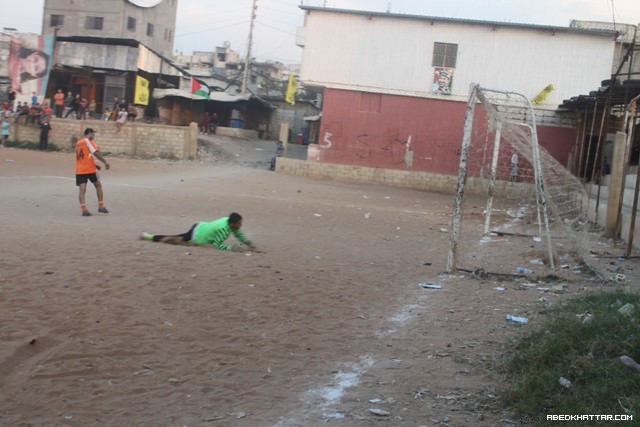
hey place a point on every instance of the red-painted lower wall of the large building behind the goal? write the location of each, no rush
(407, 133)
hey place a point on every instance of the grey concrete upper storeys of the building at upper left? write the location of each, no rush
(151, 22)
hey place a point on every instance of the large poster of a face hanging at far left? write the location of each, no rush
(29, 63)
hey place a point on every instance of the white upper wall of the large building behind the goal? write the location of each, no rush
(394, 55)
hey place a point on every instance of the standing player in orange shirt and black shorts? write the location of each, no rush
(87, 170)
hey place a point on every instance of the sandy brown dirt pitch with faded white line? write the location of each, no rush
(328, 326)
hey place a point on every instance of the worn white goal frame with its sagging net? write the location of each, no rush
(509, 188)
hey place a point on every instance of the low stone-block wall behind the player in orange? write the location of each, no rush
(134, 139)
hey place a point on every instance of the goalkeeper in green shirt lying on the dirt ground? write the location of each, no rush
(208, 233)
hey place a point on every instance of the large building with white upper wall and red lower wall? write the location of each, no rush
(398, 76)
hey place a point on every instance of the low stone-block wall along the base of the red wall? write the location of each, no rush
(398, 178)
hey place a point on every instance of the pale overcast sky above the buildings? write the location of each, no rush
(204, 24)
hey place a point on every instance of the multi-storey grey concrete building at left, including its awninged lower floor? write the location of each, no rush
(101, 47)
